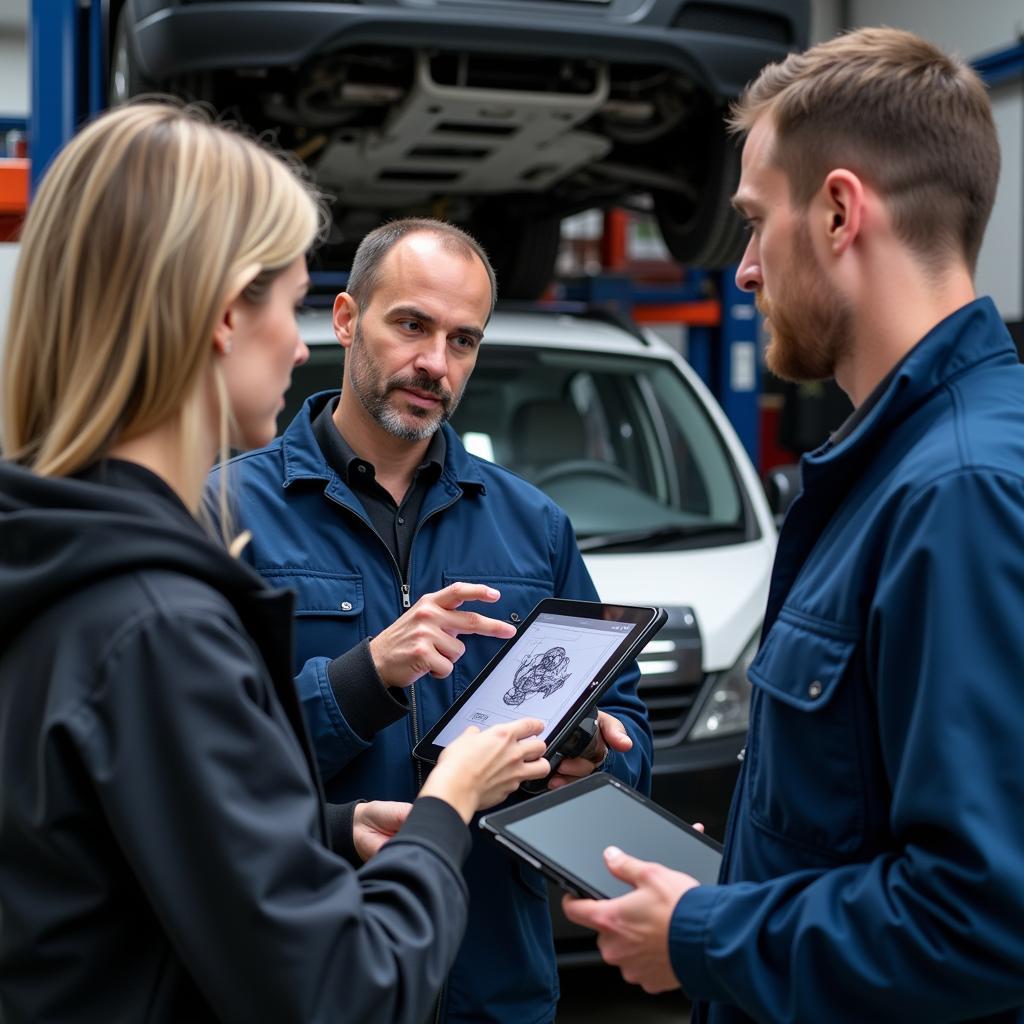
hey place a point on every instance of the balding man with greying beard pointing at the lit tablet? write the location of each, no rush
(398, 542)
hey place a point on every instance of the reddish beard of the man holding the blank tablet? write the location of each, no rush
(812, 325)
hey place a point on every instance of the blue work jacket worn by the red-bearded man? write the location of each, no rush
(875, 859)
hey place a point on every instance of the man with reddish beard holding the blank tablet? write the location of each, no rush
(874, 868)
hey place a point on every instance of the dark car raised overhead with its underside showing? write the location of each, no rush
(502, 116)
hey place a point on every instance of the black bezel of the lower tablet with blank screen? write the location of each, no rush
(496, 826)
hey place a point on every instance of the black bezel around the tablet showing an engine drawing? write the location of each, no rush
(650, 620)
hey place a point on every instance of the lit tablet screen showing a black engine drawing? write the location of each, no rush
(542, 675)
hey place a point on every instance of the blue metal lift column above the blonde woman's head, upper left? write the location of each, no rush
(55, 80)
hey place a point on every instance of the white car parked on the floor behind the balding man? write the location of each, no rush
(616, 426)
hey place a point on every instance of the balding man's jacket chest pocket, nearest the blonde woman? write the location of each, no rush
(329, 612)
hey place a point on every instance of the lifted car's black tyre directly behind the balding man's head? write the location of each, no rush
(523, 251)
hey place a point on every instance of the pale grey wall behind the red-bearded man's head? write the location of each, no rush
(973, 30)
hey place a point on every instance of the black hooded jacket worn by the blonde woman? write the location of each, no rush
(164, 846)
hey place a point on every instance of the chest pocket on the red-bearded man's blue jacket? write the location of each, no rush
(805, 777)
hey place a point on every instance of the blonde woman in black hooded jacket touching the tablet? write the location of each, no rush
(165, 854)
